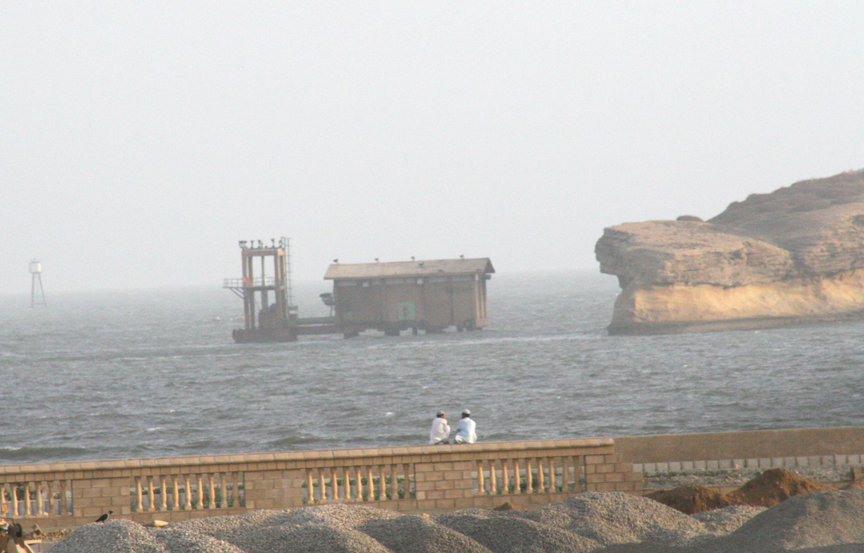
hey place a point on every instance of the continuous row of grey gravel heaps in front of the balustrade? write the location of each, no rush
(819, 522)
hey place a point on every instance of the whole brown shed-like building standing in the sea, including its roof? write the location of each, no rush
(429, 295)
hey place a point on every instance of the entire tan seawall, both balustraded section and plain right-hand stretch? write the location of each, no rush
(407, 479)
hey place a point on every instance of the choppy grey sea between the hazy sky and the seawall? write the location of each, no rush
(151, 374)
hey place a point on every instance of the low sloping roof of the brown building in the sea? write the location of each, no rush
(428, 267)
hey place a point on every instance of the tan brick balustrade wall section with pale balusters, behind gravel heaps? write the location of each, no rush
(408, 479)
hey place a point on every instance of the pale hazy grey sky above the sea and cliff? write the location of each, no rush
(139, 141)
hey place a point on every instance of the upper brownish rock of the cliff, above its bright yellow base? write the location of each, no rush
(812, 228)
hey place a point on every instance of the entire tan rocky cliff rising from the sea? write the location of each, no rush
(794, 255)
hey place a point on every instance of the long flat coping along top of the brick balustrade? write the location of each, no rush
(301, 456)
